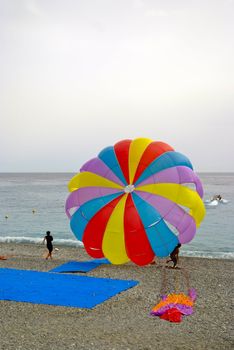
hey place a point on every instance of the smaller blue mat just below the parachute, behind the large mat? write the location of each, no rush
(80, 266)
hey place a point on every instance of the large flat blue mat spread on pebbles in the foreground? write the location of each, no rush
(57, 289)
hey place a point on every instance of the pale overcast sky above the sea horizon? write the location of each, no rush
(79, 75)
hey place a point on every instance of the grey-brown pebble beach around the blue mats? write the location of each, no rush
(124, 321)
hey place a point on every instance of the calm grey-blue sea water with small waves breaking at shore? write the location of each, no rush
(46, 193)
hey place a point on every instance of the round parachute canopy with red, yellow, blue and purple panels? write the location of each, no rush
(136, 200)
